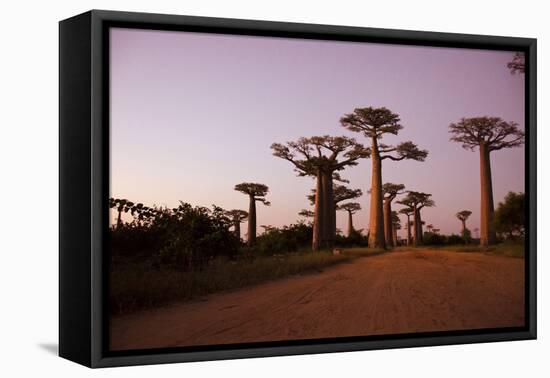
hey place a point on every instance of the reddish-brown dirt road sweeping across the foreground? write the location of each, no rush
(397, 292)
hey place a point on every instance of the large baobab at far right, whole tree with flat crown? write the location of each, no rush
(489, 134)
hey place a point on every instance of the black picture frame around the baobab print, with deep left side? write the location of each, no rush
(84, 186)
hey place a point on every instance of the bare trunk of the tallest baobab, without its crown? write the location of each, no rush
(376, 220)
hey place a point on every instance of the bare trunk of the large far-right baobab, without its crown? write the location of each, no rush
(487, 231)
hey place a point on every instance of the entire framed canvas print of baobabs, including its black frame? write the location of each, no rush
(235, 188)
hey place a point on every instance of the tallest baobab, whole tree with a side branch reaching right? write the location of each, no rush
(374, 123)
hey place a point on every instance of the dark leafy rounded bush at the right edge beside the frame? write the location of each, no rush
(510, 216)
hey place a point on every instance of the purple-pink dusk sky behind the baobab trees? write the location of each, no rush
(194, 114)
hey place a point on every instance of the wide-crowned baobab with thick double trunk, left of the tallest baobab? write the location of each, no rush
(321, 157)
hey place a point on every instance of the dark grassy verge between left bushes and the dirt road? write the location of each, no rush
(137, 286)
